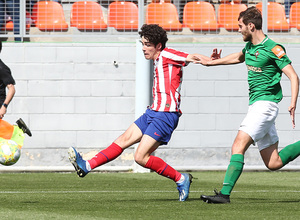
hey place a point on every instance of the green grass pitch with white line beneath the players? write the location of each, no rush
(257, 195)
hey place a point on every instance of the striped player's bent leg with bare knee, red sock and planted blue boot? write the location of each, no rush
(144, 158)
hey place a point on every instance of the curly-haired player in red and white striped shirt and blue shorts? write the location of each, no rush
(156, 125)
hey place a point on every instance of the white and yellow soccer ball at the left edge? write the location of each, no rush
(10, 152)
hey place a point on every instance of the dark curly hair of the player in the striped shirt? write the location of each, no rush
(154, 34)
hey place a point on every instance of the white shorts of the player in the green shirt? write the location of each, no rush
(259, 123)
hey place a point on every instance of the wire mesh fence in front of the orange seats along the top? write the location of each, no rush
(73, 20)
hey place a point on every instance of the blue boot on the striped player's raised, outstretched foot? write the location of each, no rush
(78, 163)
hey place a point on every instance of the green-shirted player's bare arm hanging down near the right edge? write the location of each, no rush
(292, 75)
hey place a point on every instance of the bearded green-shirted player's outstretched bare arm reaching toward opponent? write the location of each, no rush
(233, 58)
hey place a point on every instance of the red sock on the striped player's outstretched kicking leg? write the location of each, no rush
(106, 155)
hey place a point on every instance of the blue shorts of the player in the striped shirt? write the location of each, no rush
(158, 125)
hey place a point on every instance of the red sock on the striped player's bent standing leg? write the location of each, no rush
(162, 168)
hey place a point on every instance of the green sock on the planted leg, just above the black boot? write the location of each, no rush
(234, 170)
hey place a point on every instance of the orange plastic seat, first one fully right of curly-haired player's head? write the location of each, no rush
(200, 16)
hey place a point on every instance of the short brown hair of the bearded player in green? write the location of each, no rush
(252, 15)
